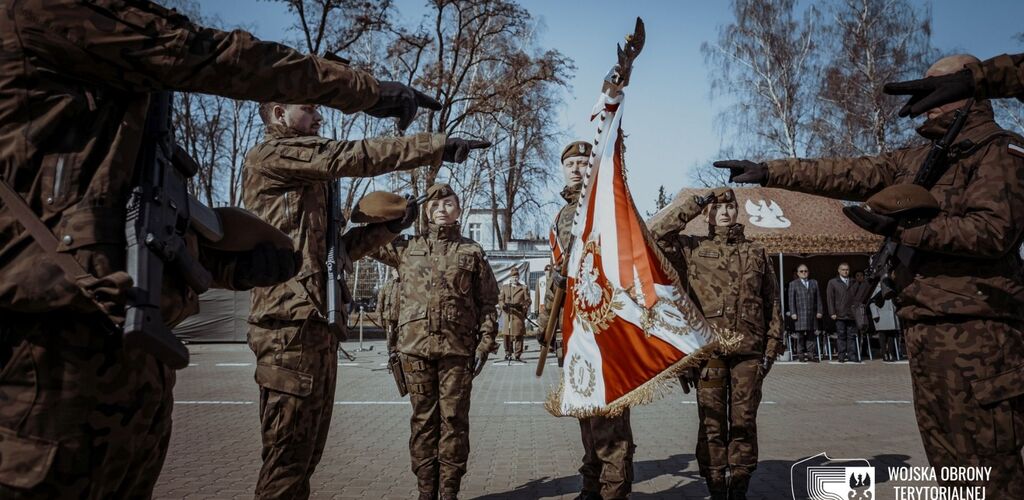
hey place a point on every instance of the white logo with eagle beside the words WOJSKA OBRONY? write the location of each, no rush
(826, 479)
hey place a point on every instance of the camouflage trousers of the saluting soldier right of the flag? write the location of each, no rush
(729, 396)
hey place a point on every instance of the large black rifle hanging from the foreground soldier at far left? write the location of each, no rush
(160, 213)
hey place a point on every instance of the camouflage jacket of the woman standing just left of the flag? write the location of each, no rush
(449, 296)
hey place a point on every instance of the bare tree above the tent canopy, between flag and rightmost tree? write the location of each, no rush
(765, 61)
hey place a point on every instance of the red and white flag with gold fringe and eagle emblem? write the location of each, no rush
(627, 328)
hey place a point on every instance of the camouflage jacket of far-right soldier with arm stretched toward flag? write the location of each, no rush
(968, 264)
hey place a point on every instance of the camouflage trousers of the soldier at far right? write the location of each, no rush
(968, 381)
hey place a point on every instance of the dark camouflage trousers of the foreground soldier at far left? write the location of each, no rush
(80, 416)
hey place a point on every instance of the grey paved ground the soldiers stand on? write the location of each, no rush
(520, 451)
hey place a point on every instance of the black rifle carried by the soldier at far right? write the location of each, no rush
(892, 257)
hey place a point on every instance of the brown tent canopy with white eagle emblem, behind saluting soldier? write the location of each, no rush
(789, 223)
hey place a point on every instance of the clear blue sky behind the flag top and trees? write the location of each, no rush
(669, 116)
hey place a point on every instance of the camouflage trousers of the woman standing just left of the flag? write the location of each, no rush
(440, 391)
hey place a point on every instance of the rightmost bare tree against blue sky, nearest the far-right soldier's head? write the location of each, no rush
(869, 44)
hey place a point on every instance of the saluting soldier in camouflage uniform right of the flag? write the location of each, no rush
(733, 279)
